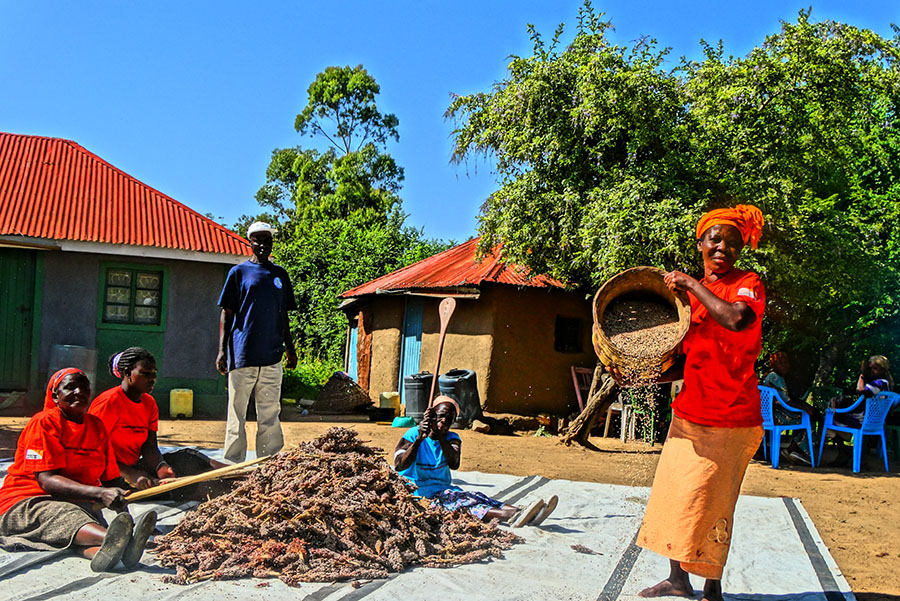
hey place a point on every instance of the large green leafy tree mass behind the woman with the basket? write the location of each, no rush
(606, 160)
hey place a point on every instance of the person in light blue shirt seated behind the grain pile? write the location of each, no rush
(428, 452)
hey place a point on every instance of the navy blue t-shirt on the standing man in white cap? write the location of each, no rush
(259, 295)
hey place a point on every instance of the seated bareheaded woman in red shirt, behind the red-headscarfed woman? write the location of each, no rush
(131, 417)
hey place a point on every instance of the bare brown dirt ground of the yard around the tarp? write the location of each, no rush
(856, 515)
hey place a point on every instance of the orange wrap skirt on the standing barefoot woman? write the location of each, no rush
(691, 508)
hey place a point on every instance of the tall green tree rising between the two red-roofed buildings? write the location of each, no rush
(337, 206)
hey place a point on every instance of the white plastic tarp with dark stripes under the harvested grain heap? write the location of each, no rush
(776, 555)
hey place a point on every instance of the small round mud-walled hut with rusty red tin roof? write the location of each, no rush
(520, 333)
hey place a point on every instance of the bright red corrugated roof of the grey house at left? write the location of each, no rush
(54, 188)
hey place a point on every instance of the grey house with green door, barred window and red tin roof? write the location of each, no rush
(92, 261)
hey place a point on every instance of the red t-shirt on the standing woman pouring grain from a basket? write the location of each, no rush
(720, 385)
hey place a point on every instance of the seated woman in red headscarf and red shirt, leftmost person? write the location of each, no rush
(63, 466)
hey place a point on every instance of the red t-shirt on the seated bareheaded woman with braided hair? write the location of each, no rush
(127, 422)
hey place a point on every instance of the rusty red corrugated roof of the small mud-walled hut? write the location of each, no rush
(454, 268)
